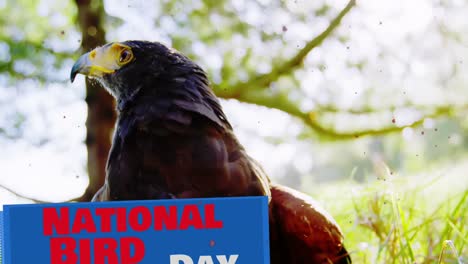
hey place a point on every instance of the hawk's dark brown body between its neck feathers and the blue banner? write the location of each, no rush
(170, 150)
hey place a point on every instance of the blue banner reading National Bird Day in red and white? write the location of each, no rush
(185, 231)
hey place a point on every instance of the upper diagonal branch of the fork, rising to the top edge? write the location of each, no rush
(263, 81)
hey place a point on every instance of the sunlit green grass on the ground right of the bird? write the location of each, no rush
(402, 219)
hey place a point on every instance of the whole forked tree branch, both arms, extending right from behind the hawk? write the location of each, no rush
(253, 91)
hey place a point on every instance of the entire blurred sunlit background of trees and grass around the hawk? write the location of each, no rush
(362, 105)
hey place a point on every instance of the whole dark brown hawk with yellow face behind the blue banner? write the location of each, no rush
(172, 140)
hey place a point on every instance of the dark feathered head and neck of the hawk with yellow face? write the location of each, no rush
(134, 68)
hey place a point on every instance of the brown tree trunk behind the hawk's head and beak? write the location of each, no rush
(101, 110)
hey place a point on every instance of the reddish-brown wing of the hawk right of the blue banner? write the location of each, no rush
(300, 226)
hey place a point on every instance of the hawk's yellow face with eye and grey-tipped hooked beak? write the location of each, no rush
(103, 60)
